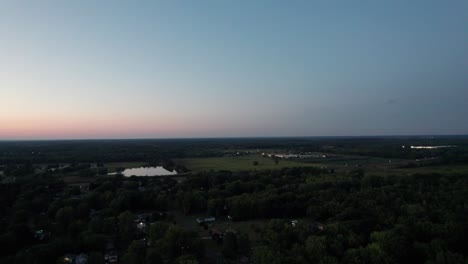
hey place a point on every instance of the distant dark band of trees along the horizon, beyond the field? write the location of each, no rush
(100, 151)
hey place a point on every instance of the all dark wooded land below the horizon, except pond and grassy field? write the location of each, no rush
(365, 213)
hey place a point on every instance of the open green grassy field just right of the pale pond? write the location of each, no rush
(238, 163)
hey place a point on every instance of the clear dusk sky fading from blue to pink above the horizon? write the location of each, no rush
(219, 68)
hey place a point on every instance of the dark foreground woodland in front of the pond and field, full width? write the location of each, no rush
(341, 218)
